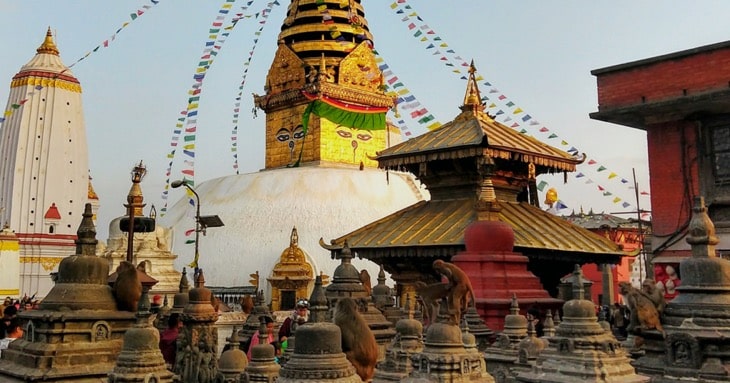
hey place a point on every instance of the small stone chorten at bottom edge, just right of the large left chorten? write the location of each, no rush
(141, 359)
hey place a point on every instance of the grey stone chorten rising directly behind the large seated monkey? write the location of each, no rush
(346, 283)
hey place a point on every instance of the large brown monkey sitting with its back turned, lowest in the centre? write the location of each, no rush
(358, 341)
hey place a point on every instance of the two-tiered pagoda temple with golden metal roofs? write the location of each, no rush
(475, 168)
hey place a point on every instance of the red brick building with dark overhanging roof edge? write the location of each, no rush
(682, 101)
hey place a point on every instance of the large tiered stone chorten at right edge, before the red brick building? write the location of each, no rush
(696, 346)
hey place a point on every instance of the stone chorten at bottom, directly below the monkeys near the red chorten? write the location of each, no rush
(446, 357)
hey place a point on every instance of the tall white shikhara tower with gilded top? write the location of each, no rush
(44, 166)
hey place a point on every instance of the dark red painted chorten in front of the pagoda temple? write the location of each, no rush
(497, 273)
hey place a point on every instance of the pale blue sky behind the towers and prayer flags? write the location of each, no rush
(538, 54)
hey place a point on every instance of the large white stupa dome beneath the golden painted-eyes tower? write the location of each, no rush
(260, 209)
